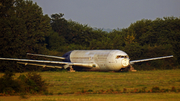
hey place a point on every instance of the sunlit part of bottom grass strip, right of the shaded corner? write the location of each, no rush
(112, 97)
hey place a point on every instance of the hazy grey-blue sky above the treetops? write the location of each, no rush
(110, 13)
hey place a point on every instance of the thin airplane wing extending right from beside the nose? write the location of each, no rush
(149, 59)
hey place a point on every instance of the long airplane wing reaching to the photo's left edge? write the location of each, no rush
(46, 63)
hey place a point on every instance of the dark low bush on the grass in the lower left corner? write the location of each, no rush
(30, 83)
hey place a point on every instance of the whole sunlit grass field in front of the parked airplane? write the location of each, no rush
(71, 83)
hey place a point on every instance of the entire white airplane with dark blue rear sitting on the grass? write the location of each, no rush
(88, 60)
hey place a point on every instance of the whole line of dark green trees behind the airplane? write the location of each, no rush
(25, 29)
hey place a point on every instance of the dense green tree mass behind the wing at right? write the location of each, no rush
(152, 39)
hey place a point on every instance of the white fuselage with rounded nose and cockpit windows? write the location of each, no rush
(104, 60)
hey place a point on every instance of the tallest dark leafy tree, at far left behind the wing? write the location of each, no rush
(23, 29)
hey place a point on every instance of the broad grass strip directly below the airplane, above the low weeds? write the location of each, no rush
(66, 82)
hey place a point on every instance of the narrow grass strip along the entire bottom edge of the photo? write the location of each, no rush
(99, 97)
